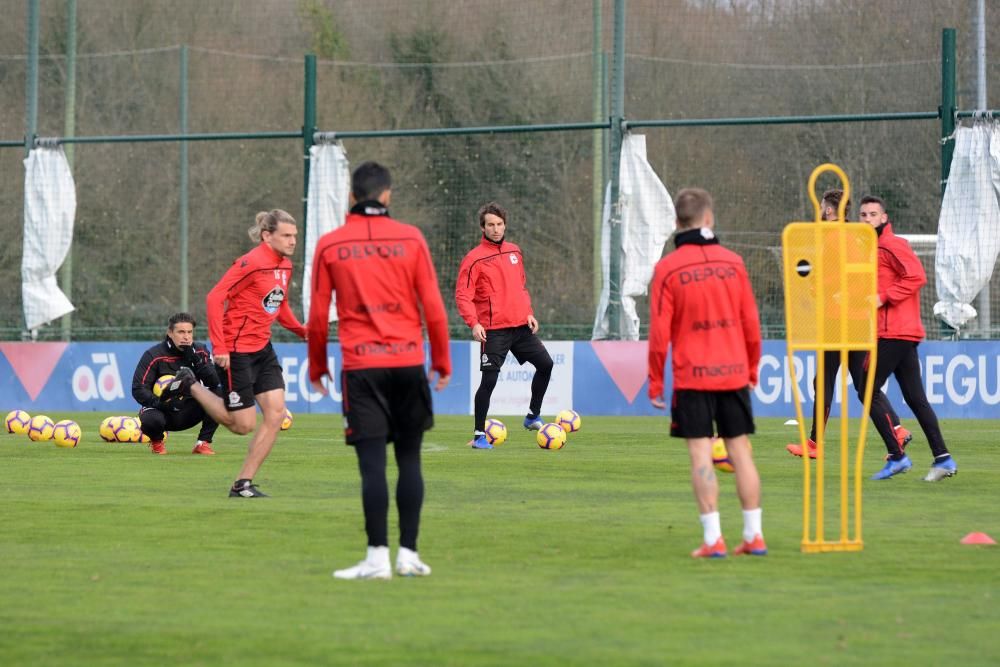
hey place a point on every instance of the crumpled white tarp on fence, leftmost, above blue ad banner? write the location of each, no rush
(49, 209)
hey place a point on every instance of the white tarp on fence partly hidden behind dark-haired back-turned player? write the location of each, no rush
(326, 207)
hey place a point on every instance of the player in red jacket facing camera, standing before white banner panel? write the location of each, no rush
(492, 297)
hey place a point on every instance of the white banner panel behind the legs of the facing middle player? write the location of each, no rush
(513, 391)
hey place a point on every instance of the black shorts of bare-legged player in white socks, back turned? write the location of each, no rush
(693, 412)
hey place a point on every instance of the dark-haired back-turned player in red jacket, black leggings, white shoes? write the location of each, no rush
(382, 273)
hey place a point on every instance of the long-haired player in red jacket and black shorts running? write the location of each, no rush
(241, 308)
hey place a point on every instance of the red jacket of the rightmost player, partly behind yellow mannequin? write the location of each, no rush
(900, 277)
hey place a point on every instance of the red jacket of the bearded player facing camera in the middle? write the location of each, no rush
(492, 287)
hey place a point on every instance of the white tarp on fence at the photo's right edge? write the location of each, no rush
(969, 226)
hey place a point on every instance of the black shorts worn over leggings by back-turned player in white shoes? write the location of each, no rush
(384, 402)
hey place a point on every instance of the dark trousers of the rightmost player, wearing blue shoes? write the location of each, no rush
(899, 358)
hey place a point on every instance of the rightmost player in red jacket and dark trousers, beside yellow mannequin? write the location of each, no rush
(900, 278)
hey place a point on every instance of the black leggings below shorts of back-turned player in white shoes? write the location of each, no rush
(375, 489)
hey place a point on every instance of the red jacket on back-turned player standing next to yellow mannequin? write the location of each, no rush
(701, 301)
